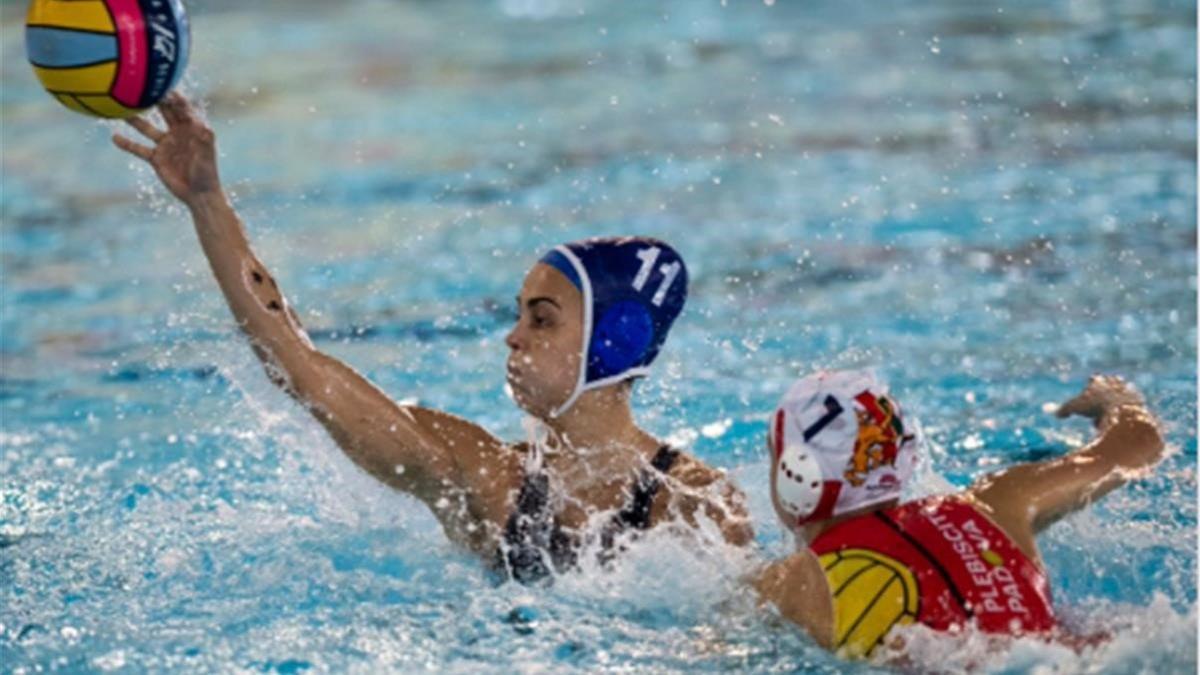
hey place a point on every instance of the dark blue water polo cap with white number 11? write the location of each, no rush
(634, 288)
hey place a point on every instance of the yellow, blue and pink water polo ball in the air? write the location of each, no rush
(107, 58)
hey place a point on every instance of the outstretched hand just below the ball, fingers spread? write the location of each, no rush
(184, 156)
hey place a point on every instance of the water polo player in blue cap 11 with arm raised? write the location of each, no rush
(592, 318)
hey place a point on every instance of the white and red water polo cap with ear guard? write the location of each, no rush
(839, 444)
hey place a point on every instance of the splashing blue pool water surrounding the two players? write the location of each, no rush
(988, 201)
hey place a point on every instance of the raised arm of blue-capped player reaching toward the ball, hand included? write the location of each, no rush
(430, 455)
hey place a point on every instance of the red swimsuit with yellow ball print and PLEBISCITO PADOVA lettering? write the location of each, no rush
(938, 561)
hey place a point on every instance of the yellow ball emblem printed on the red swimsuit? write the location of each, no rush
(872, 594)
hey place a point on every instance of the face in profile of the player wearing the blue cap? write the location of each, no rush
(545, 344)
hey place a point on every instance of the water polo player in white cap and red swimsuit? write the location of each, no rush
(842, 452)
